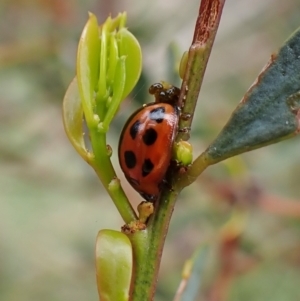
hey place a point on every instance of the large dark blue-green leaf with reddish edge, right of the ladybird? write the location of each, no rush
(269, 111)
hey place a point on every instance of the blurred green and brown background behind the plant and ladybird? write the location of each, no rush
(52, 204)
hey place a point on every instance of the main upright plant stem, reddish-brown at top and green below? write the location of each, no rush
(148, 244)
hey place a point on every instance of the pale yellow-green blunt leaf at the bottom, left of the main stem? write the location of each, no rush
(113, 265)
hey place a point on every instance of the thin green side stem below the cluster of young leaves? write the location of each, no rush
(105, 171)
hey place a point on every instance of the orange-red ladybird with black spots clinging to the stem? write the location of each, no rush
(145, 145)
